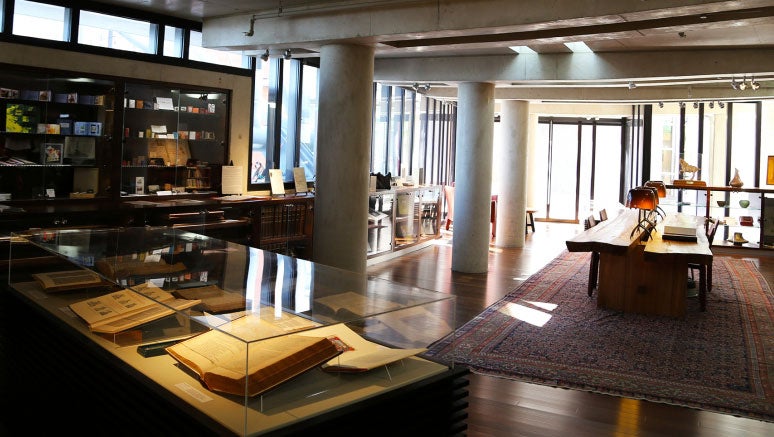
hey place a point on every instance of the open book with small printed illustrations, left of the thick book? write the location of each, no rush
(124, 309)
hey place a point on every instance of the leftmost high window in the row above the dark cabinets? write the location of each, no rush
(39, 20)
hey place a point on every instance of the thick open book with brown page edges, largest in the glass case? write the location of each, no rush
(224, 362)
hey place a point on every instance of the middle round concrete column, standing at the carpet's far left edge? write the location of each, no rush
(473, 177)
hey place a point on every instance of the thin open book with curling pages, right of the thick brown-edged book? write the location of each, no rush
(359, 355)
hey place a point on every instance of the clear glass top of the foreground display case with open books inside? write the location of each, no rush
(252, 341)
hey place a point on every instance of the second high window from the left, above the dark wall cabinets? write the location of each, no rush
(118, 33)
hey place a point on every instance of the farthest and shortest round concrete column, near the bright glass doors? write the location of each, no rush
(511, 166)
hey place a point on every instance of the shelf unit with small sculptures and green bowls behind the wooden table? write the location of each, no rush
(747, 213)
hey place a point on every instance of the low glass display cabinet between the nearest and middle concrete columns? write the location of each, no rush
(402, 217)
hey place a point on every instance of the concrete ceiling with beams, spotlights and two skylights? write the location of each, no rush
(643, 50)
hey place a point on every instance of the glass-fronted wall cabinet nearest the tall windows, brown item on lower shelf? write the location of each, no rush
(174, 140)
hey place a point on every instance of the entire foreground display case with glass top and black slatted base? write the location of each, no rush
(247, 299)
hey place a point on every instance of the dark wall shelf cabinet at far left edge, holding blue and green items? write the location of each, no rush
(55, 135)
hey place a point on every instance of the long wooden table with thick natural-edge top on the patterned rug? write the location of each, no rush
(643, 277)
